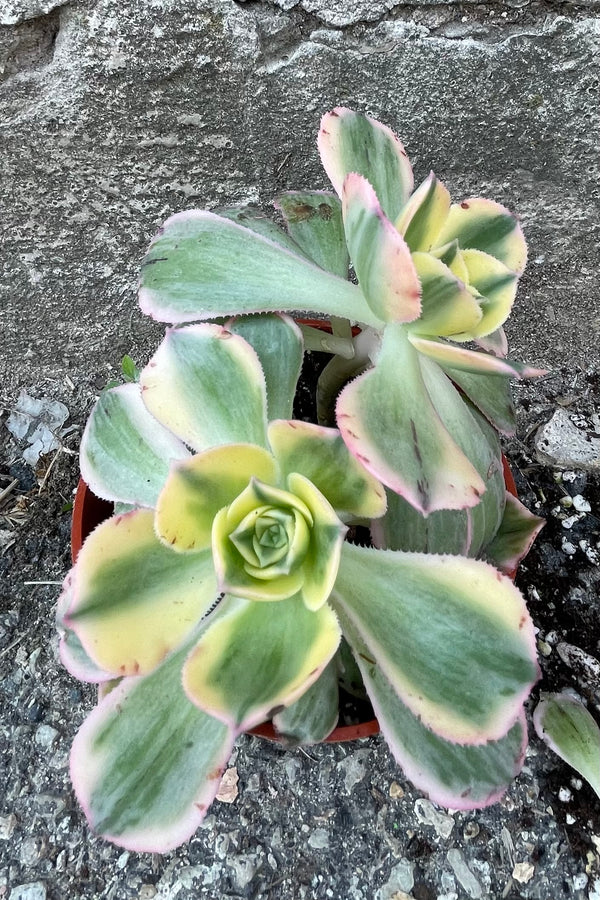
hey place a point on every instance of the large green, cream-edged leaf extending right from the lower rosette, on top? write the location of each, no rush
(452, 635)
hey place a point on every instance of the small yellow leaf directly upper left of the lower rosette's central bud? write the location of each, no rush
(197, 489)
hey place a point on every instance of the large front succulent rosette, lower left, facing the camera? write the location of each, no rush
(217, 595)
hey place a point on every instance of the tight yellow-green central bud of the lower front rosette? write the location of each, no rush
(270, 543)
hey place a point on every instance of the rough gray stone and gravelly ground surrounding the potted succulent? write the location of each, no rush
(115, 114)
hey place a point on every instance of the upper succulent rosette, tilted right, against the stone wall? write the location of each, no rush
(431, 275)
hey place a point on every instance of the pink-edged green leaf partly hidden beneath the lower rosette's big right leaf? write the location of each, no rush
(453, 775)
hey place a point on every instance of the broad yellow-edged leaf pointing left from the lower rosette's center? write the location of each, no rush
(135, 600)
